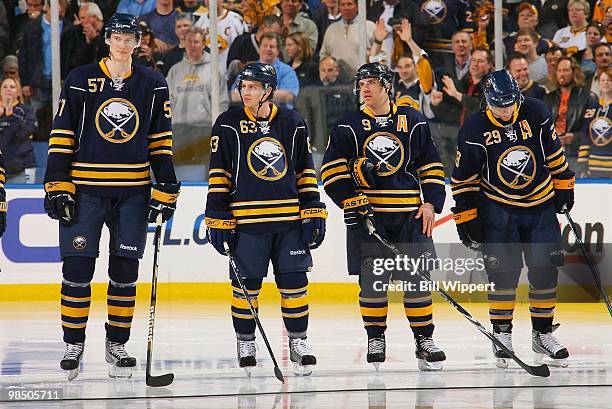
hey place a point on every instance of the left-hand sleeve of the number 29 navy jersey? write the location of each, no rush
(465, 180)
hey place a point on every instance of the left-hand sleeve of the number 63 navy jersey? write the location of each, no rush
(220, 173)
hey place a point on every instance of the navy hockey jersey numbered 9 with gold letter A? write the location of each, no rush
(401, 146)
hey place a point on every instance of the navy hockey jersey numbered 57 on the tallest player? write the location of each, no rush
(107, 136)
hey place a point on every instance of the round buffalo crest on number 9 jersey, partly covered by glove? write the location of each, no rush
(386, 150)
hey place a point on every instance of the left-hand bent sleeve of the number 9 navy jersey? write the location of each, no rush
(337, 181)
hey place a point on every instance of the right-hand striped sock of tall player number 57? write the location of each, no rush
(120, 302)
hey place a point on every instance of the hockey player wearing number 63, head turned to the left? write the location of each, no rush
(263, 201)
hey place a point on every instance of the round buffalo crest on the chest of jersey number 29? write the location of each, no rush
(516, 167)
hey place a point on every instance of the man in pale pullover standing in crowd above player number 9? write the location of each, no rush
(341, 39)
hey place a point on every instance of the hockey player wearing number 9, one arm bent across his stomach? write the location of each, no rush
(396, 142)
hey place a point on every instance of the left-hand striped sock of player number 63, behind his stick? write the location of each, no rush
(244, 323)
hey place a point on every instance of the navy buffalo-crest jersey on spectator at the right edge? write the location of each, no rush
(596, 138)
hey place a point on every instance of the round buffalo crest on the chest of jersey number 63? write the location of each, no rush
(267, 160)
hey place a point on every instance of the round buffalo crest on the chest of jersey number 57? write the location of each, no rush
(117, 120)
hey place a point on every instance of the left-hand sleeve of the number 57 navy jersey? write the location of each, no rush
(64, 131)
